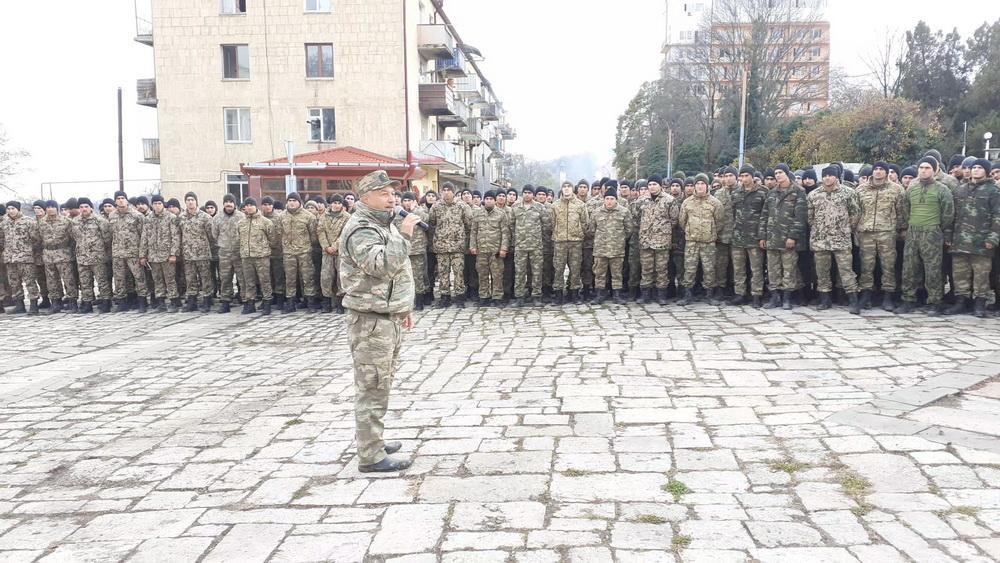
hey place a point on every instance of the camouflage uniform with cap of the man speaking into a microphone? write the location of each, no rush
(378, 292)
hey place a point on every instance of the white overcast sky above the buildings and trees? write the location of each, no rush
(564, 69)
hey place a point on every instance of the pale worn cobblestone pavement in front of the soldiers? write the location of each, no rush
(634, 433)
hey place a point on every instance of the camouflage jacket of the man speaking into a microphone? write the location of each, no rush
(375, 272)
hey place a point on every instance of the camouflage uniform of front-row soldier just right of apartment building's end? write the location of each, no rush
(529, 224)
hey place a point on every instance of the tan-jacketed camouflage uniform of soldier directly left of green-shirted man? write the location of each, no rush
(881, 220)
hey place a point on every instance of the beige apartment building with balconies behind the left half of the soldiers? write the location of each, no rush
(347, 85)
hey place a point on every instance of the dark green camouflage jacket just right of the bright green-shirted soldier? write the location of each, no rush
(977, 218)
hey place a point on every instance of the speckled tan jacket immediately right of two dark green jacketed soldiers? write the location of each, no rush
(833, 217)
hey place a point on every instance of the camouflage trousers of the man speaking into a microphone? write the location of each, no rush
(375, 341)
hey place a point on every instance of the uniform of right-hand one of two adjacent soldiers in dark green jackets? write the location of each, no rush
(785, 216)
